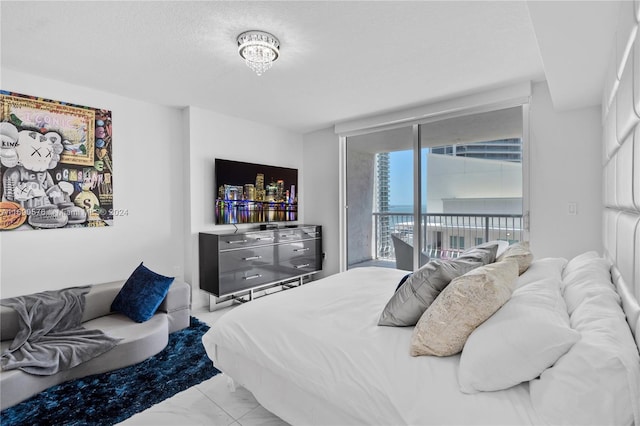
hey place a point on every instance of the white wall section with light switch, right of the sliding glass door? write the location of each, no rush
(565, 160)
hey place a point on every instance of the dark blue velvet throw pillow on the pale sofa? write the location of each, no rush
(141, 295)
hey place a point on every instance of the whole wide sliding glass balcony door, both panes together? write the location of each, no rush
(429, 190)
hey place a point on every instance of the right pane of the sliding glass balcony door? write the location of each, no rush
(472, 178)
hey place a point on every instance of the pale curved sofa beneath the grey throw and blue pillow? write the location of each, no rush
(140, 340)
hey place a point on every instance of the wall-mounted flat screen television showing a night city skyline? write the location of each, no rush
(255, 193)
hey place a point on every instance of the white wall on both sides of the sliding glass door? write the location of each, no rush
(564, 167)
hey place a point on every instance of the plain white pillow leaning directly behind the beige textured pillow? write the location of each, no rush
(525, 337)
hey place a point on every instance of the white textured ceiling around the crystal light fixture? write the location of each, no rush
(339, 60)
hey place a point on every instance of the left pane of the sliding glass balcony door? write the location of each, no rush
(379, 190)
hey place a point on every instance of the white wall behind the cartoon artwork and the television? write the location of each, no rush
(163, 176)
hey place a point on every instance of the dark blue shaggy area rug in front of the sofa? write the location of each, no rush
(109, 398)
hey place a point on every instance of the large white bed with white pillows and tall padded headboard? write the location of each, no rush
(562, 349)
